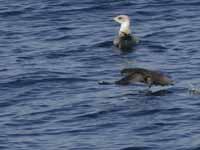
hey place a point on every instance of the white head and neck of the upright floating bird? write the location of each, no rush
(125, 23)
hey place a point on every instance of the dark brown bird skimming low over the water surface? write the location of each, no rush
(149, 77)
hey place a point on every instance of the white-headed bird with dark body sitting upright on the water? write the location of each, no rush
(125, 40)
